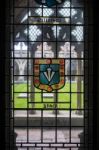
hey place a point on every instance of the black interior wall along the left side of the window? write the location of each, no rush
(4, 73)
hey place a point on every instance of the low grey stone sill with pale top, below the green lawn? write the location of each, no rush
(34, 120)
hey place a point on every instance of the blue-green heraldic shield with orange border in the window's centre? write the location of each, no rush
(49, 74)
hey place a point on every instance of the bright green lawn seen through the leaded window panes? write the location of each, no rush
(62, 97)
